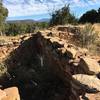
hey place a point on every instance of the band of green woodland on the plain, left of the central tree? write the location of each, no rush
(22, 27)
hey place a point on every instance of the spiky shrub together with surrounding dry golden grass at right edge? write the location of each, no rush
(88, 38)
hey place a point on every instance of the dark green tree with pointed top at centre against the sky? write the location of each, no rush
(62, 16)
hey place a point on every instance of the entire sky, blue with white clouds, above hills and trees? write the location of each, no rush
(38, 9)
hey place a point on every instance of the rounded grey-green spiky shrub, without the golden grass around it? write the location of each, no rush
(87, 36)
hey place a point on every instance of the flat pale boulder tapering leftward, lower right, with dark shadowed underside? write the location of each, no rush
(91, 83)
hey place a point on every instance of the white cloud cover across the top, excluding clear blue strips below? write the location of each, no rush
(34, 7)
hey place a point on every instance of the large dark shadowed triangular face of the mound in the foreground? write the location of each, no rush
(38, 73)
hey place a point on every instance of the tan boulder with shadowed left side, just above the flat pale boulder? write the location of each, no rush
(89, 66)
